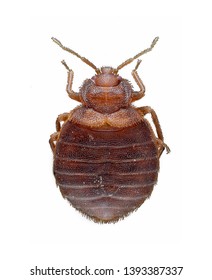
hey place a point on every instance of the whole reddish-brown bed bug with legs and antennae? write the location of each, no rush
(106, 154)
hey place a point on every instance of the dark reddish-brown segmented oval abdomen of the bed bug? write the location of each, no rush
(106, 174)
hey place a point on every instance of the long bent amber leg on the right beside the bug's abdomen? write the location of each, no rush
(161, 145)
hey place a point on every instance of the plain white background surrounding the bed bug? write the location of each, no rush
(172, 228)
